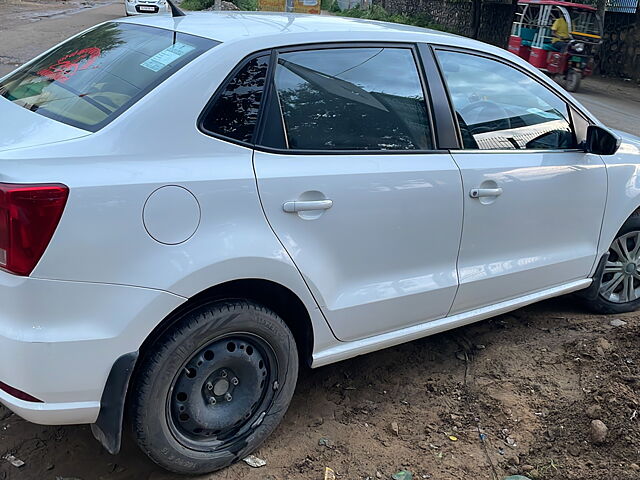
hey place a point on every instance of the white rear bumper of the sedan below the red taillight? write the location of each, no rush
(59, 341)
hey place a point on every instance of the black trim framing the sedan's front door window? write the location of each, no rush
(570, 104)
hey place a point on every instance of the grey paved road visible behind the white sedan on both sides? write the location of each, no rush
(30, 27)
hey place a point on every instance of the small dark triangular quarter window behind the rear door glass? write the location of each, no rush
(235, 111)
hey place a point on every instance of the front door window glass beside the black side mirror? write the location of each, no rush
(499, 107)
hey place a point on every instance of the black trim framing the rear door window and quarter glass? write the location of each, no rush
(268, 90)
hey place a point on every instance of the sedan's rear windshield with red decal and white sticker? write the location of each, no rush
(91, 79)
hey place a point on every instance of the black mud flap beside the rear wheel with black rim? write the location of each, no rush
(108, 426)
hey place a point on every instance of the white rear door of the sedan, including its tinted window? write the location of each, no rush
(352, 186)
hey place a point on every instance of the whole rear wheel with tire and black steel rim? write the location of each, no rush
(214, 387)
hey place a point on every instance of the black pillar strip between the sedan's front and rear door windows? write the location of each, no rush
(446, 128)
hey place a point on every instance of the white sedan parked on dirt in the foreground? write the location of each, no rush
(190, 207)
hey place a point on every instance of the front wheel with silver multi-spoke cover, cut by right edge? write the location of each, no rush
(620, 273)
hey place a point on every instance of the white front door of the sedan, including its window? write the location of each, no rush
(533, 201)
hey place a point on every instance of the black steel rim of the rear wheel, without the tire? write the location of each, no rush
(221, 394)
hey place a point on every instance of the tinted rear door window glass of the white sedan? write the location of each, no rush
(352, 99)
